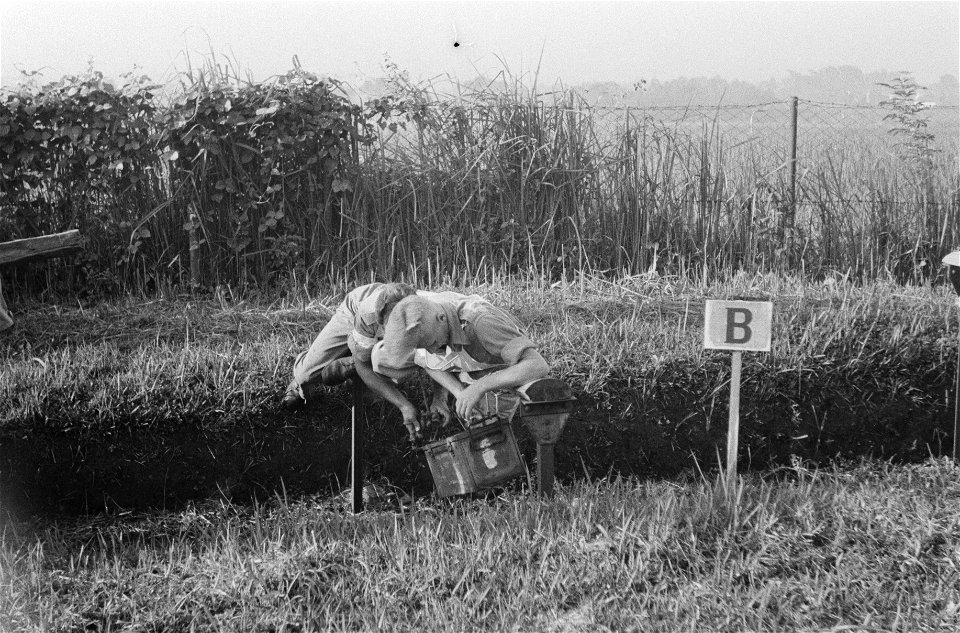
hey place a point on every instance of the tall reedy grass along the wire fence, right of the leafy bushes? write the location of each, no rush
(511, 177)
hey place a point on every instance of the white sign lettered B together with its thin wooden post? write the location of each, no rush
(737, 326)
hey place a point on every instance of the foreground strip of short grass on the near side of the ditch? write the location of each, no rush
(872, 548)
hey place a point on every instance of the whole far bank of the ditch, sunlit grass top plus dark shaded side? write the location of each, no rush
(146, 402)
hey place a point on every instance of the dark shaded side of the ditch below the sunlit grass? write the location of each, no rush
(627, 433)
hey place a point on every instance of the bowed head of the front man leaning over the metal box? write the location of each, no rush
(414, 323)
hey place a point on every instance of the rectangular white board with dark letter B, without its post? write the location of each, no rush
(737, 325)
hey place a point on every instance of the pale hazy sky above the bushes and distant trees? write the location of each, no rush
(578, 41)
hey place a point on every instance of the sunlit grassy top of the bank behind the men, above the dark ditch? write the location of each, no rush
(143, 359)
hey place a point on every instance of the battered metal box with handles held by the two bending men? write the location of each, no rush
(480, 457)
